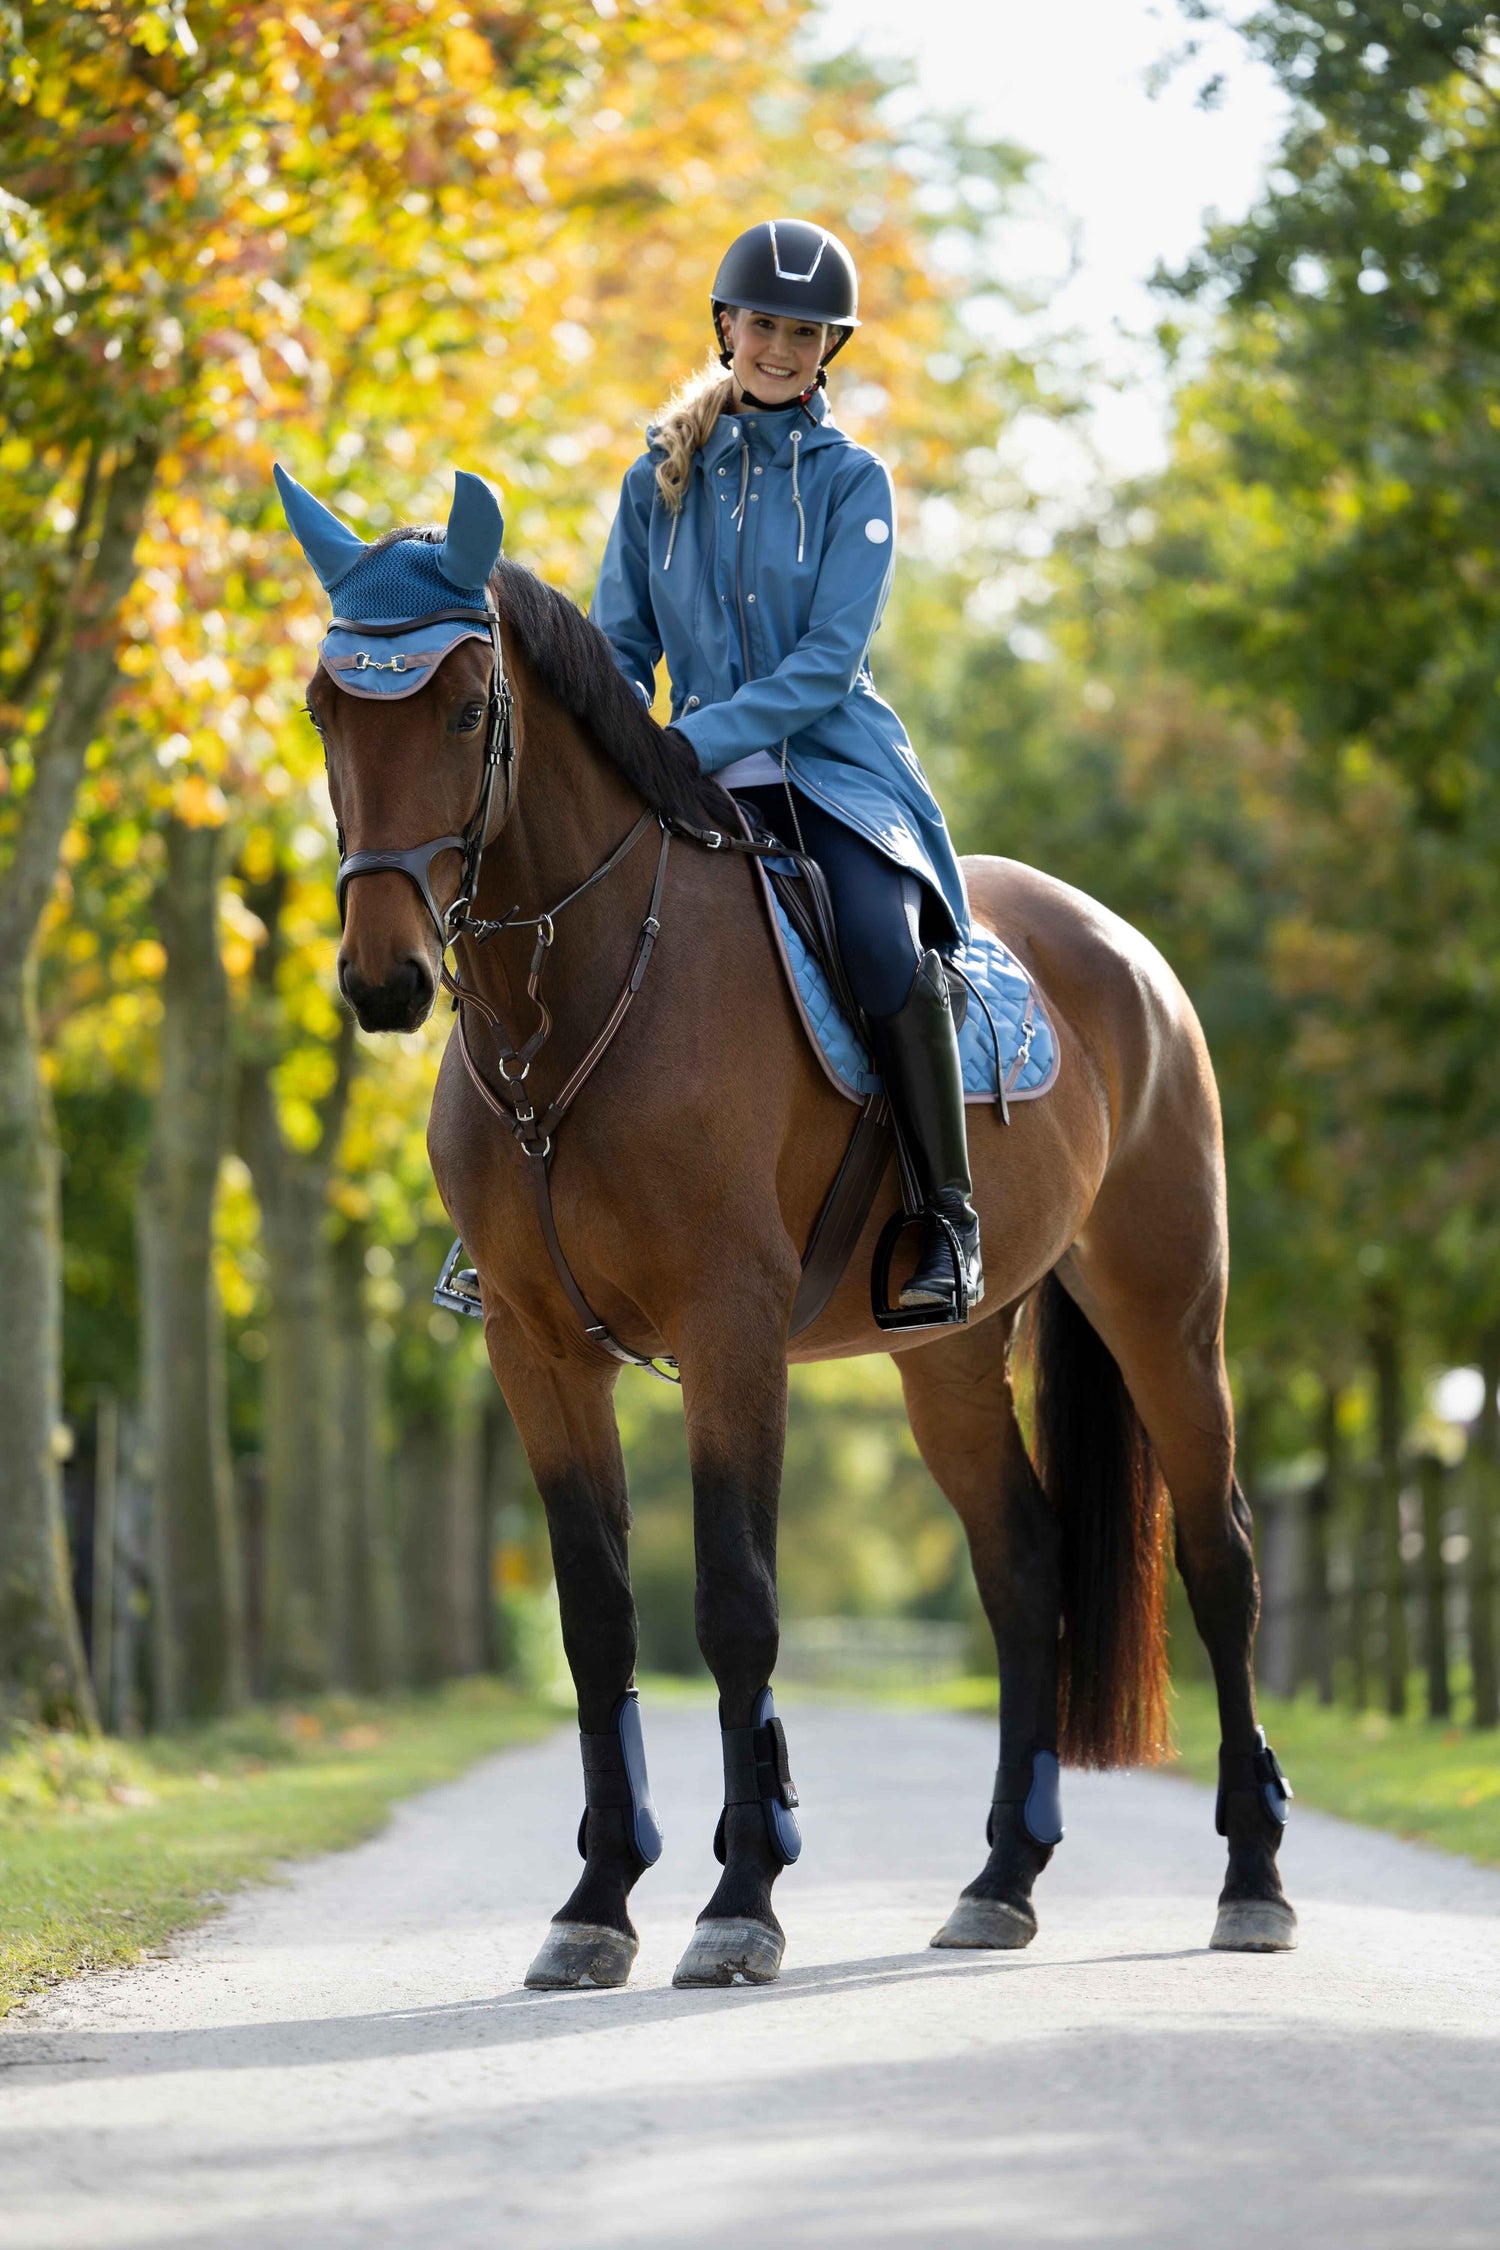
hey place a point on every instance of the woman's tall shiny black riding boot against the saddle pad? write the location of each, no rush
(919, 1059)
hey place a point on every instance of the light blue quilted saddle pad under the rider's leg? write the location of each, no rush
(1009, 991)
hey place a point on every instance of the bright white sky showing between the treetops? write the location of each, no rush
(1123, 179)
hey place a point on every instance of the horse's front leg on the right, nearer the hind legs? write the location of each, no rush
(734, 1374)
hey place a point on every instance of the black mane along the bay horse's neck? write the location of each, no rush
(577, 667)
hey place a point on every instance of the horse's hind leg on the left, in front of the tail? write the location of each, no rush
(964, 1421)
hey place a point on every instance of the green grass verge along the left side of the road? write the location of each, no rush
(107, 1848)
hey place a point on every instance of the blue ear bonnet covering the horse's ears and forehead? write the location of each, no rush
(392, 586)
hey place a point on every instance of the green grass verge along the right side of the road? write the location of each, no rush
(1418, 1779)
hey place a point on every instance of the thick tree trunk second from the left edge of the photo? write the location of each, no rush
(199, 1621)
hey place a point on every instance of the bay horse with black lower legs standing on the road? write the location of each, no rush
(683, 1194)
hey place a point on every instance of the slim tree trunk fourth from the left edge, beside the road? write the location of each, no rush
(368, 1662)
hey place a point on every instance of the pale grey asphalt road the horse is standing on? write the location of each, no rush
(350, 2060)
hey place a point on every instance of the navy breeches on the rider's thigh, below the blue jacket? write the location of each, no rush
(878, 906)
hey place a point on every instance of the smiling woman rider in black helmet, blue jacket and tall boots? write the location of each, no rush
(754, 548)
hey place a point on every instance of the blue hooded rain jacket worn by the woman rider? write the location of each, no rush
(766, 595)
